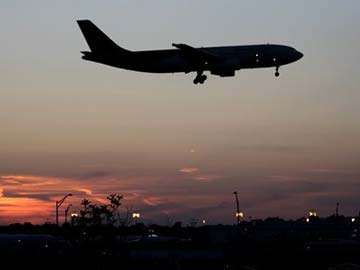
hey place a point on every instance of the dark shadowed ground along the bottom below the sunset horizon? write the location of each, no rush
(271, 244)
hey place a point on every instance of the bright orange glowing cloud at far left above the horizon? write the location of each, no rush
(32, 198)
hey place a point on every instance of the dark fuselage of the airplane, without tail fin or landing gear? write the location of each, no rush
(230, 58)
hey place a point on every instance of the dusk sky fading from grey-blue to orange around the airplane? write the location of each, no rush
(175, 150)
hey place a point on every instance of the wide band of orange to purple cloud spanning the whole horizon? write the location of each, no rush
(180, 195)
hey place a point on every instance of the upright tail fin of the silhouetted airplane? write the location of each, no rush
(96, 39)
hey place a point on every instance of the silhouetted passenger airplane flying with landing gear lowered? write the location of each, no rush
(220, 61)
